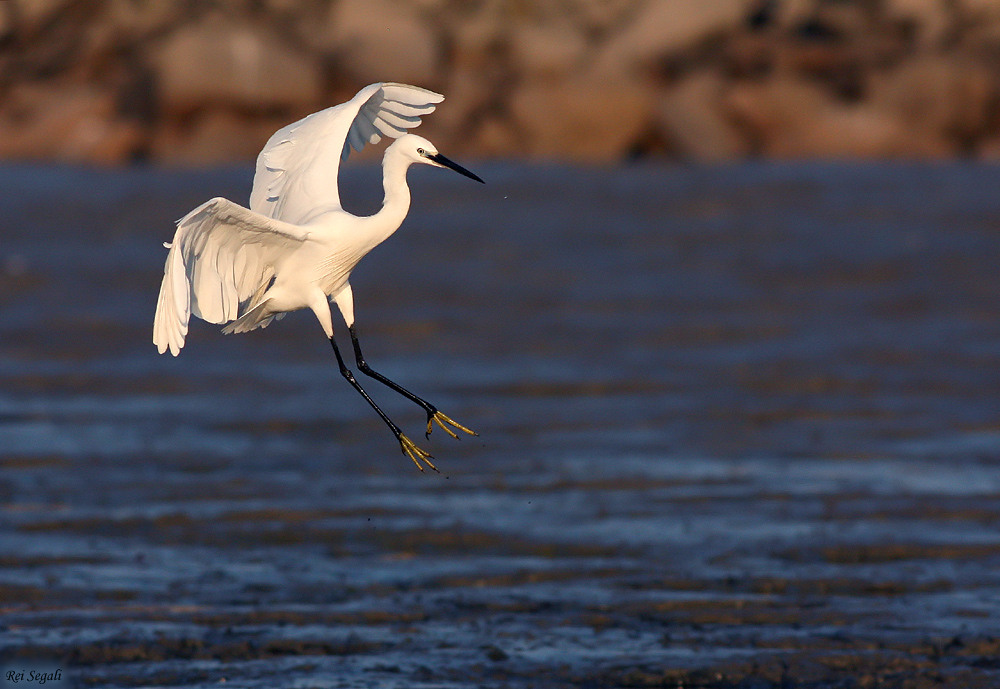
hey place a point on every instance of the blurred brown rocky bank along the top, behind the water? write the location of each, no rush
(203, 82)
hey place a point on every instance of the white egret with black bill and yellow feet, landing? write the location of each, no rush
(295, 247)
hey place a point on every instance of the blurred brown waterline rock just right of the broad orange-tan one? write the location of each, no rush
(692, 120)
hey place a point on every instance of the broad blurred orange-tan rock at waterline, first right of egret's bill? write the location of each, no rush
(586, 118)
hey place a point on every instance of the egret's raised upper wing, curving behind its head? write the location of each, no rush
(297, 170)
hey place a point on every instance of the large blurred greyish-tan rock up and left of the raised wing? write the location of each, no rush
(221, 61)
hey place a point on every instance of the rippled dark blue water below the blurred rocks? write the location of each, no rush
(729, 418)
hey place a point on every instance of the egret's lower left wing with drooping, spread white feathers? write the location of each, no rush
(222, 255)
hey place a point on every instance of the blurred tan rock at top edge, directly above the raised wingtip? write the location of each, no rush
(381, 40)
